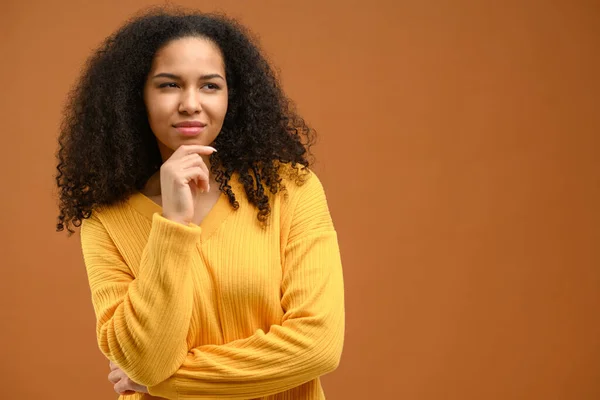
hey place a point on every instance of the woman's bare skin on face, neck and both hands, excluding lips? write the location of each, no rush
(187, 82)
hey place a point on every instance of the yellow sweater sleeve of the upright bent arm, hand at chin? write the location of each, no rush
(142, 321)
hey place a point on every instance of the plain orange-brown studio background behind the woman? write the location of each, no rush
(458, 147)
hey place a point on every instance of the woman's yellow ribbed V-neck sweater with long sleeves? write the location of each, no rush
(223, 310)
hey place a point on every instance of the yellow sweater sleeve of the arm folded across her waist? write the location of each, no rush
(309, 341)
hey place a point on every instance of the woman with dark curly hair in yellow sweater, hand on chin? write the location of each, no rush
(212, 259)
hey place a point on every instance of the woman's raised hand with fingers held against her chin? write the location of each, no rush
(181, 176)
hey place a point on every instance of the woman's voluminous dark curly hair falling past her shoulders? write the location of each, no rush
(107, 150)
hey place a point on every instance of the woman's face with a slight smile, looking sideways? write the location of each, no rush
(186, 94)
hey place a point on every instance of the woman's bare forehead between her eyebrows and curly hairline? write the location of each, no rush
(189, 55)
